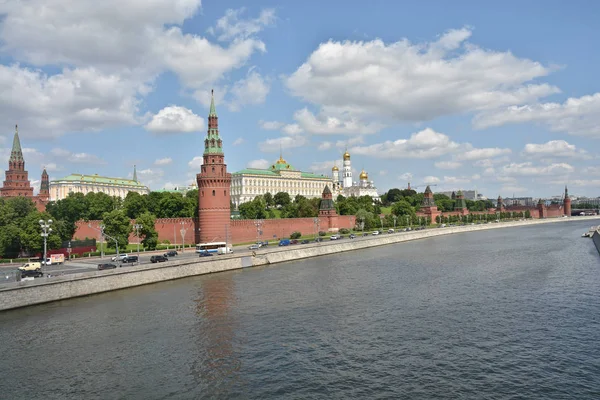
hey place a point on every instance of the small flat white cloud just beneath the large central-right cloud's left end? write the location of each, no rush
(329, 124)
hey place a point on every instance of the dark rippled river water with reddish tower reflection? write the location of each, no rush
(500, 314)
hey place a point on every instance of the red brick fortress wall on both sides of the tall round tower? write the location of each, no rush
(240, 230)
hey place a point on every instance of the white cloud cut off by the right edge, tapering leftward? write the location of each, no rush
(576, 116)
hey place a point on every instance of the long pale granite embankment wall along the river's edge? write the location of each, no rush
(27, 293)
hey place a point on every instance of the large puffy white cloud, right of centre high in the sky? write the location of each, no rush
(415, 82)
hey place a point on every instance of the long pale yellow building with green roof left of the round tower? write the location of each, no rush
(77, 183)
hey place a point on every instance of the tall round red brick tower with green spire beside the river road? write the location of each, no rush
(214, 184)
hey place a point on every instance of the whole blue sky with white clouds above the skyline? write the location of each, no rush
(502, 97)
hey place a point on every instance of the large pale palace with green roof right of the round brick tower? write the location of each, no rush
(280, 177)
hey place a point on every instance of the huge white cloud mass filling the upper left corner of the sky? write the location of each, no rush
(112, 61)
